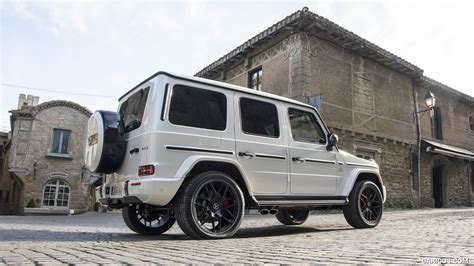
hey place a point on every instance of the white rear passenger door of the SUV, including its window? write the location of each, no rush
(261, 143)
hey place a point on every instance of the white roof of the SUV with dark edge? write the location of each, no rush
(219, 84)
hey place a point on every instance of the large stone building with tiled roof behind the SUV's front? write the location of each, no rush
(367, 96)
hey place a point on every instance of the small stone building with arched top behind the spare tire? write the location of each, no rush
(44, 158)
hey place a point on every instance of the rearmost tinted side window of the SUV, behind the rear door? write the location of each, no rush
(200, 108)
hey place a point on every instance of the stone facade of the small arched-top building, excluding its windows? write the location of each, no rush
(31, 152)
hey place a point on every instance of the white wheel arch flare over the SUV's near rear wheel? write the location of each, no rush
(228, 167)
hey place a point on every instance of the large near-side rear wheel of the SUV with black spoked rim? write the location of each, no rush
(210, 206)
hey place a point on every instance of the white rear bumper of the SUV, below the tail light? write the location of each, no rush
(155, 191)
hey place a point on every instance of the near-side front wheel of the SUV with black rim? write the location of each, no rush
(365, 207)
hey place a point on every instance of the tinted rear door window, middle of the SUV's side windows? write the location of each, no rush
(259, 118)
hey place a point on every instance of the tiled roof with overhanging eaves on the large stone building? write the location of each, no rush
(306, 20)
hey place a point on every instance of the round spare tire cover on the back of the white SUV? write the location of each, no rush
(105, 142)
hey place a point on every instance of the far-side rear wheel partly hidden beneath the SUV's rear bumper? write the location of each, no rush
(142, 219)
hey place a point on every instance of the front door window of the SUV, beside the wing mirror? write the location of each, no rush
(305, 127)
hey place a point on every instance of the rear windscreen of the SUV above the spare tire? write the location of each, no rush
(131, 111)
